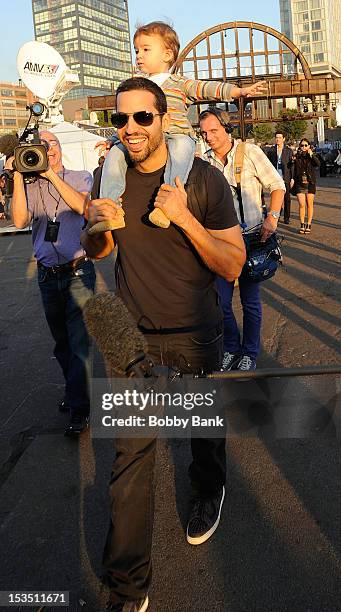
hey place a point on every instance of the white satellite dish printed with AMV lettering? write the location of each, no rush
(40, 68)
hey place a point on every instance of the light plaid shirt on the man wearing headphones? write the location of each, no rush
(258, 172)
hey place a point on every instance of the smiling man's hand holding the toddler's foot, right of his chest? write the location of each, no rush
(173, 202)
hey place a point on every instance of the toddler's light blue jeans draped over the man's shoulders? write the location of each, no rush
(179, 163)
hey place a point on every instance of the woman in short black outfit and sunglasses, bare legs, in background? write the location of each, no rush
(305, 163)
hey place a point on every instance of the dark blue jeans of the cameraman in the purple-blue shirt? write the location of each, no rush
(64, 294)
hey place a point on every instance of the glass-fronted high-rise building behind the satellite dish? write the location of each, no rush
(93, 38)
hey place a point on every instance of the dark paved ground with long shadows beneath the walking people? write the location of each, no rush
(279, 544)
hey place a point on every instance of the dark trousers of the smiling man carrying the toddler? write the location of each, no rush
(127, 553)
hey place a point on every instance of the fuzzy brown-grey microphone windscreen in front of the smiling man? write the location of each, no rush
(110, 323)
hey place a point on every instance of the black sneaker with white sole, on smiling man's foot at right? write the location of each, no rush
(204, 518)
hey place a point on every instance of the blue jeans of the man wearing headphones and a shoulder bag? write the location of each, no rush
(252, 316)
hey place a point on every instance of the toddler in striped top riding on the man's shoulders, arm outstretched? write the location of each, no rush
(157, 47)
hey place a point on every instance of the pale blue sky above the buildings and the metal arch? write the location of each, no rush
(188, 17)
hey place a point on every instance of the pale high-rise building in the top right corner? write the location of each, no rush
(315, 27)
